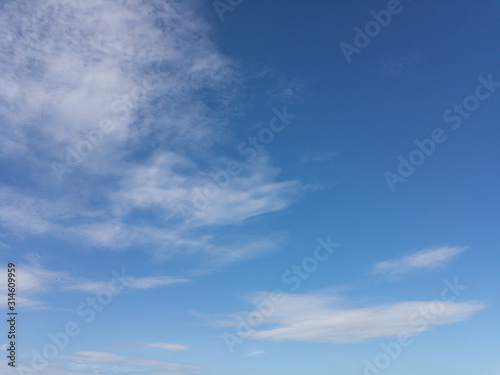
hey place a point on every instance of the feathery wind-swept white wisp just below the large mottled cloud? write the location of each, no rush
(249, 194)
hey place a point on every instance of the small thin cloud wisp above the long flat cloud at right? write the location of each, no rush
(433, 258)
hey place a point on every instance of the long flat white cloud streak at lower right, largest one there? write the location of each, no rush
(322, 318)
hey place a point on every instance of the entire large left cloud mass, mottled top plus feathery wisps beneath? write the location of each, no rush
(66, 69)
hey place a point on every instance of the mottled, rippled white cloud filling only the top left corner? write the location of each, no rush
(73, 65)
